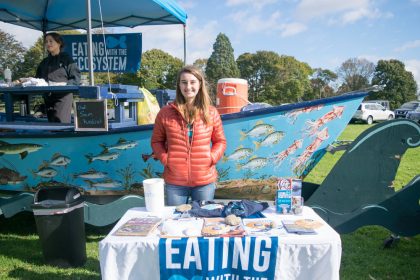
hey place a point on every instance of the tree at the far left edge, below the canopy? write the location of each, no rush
(11, 53)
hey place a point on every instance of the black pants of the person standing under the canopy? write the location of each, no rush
(58, 106)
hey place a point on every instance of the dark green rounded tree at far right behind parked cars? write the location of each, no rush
(400, 85)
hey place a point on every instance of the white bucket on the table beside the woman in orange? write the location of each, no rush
(154, 194)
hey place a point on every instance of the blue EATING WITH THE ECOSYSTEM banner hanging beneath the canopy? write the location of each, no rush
(119, 53)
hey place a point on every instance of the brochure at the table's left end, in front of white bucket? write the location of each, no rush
(138, 226)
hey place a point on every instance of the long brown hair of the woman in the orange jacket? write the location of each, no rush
(202, 100)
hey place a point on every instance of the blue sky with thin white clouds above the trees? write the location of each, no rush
(322, 33)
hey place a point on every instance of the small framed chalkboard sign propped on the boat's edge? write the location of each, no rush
(90, 115)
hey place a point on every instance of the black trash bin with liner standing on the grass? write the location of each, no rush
(59, 218)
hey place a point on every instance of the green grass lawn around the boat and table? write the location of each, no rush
(363, 255)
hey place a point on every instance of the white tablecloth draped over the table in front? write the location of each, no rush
(298, 257)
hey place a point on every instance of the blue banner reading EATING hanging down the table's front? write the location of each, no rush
(218, 258)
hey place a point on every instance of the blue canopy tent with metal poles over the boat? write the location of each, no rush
(56, 15)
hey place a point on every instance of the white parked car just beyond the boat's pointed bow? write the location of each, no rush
(372, 112)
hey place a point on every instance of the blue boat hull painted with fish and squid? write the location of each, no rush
(282, 141)
